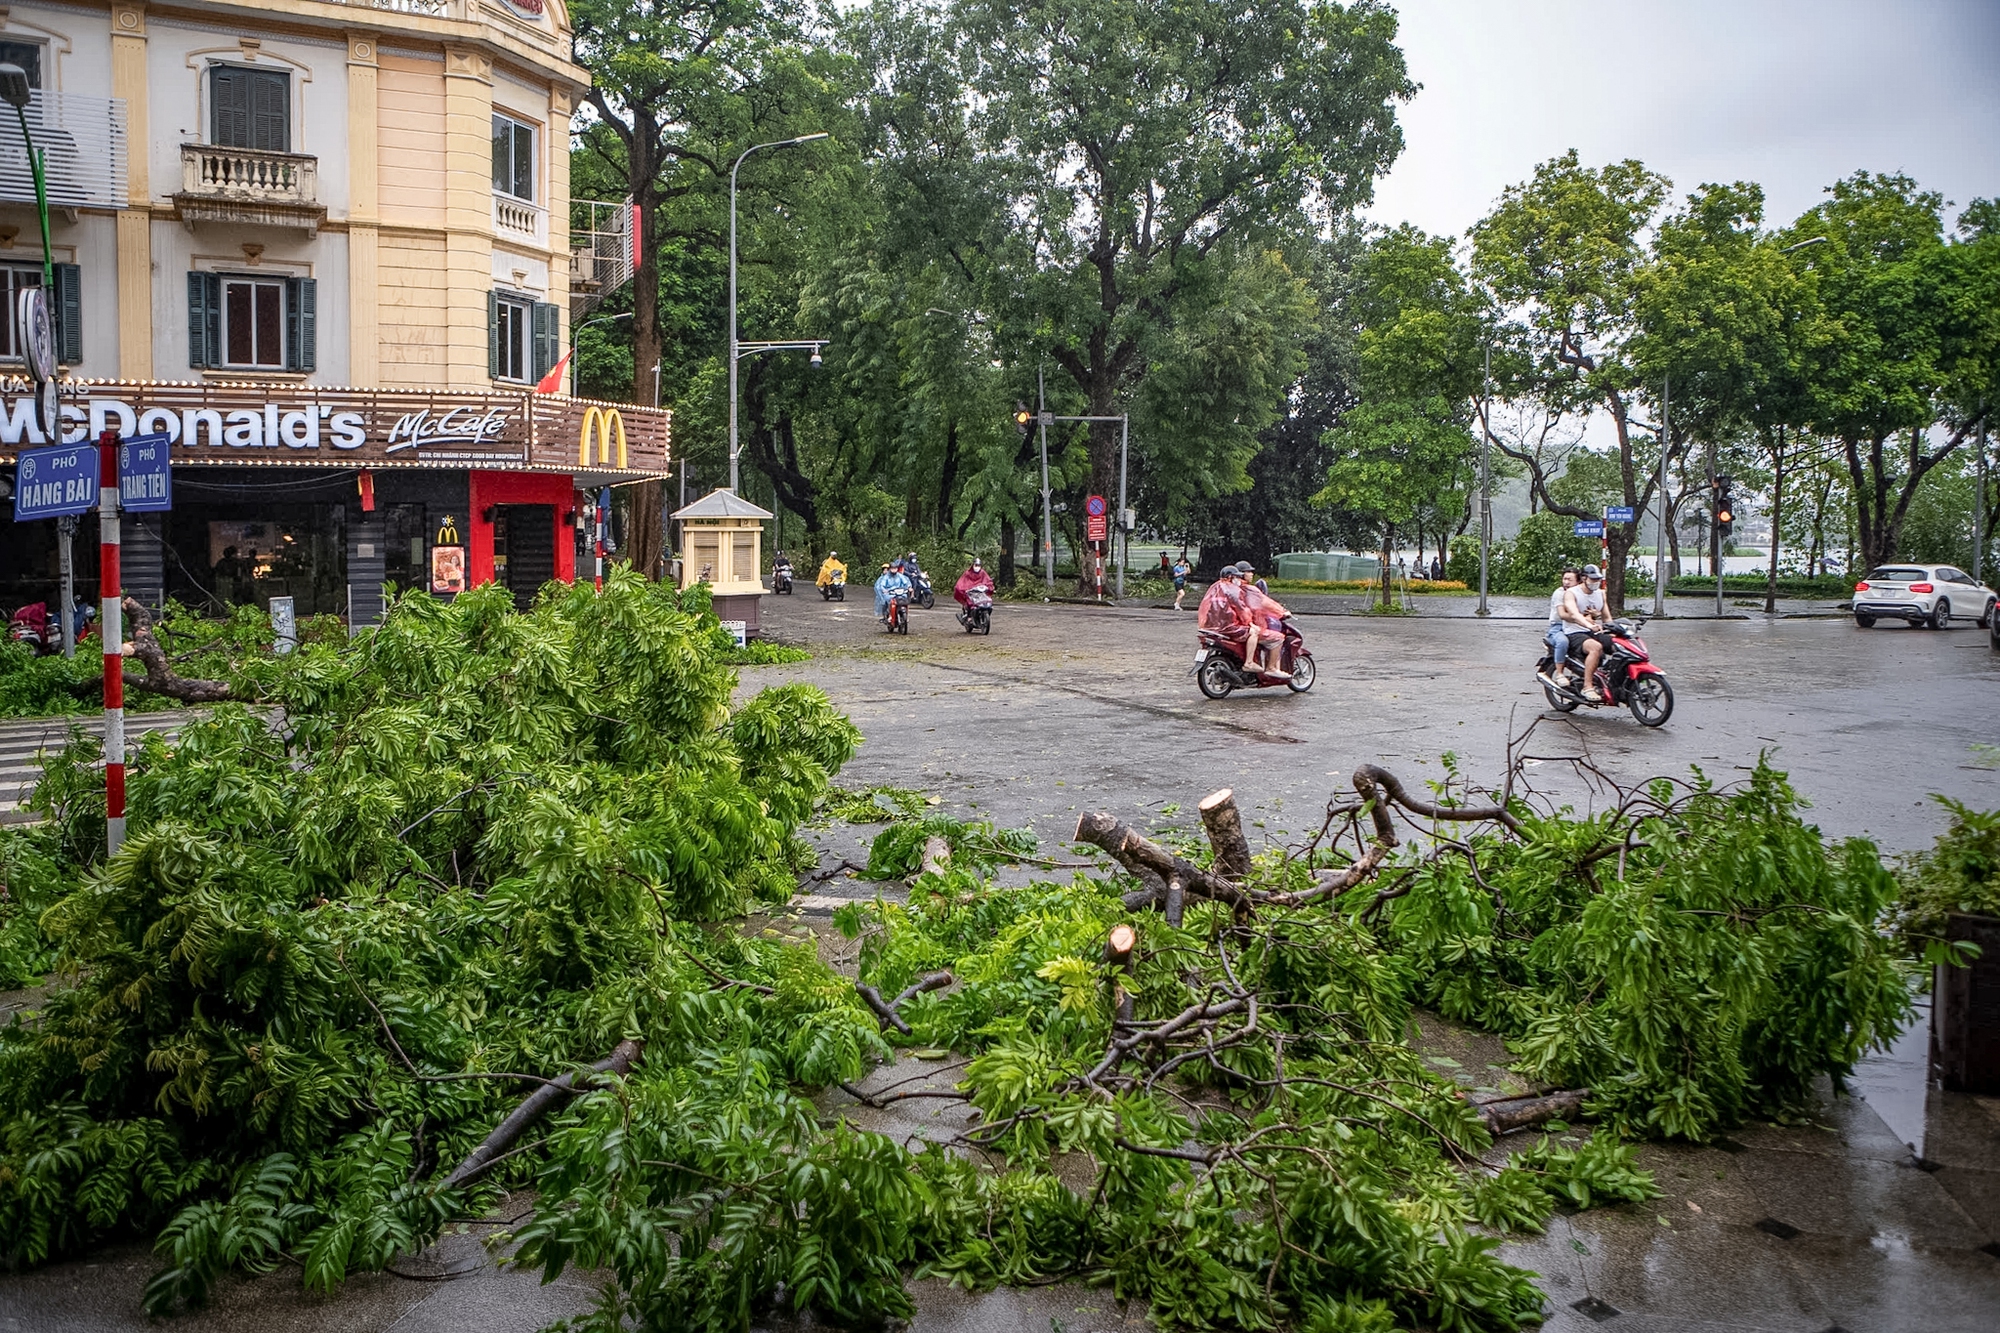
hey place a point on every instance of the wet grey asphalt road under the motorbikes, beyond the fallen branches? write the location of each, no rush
(1079, 708)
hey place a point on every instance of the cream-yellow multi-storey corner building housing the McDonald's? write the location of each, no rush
(315, 213)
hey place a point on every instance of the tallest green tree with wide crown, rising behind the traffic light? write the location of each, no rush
(1123, 187)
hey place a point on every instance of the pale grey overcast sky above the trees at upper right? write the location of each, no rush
(1789, 93)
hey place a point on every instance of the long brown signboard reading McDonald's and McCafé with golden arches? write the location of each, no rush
(357, 427)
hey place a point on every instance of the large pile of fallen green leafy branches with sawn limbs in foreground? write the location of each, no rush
(437, 922)
